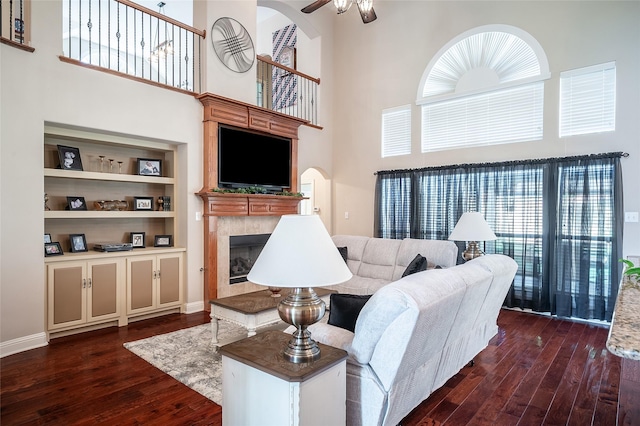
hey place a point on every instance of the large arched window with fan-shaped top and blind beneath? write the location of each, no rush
(484, 87)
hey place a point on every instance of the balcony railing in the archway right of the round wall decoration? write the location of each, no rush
(285, 90)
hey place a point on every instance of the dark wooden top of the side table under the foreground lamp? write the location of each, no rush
(265, 351)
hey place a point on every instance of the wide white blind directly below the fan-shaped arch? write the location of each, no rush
(500, 116)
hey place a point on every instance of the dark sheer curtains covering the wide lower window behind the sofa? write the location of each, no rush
(559, 219)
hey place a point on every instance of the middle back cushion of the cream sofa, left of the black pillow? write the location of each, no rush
(379, 258)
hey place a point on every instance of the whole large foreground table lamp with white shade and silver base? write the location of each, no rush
(300, 255)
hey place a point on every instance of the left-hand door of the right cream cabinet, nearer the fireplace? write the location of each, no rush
(141, 288)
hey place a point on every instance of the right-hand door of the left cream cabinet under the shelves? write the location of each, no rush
(103, 295)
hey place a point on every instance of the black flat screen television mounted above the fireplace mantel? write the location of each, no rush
(247, 158)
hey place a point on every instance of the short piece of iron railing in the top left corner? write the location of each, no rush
(15, 22)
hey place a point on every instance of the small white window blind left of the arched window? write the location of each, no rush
(396, 131)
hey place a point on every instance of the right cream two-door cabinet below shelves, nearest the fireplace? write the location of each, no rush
(154, 282)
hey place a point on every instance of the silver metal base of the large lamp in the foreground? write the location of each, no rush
(301, 308)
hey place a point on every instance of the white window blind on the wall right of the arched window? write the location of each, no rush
(588, 100)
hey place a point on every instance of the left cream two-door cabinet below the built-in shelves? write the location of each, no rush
(83, 292)
